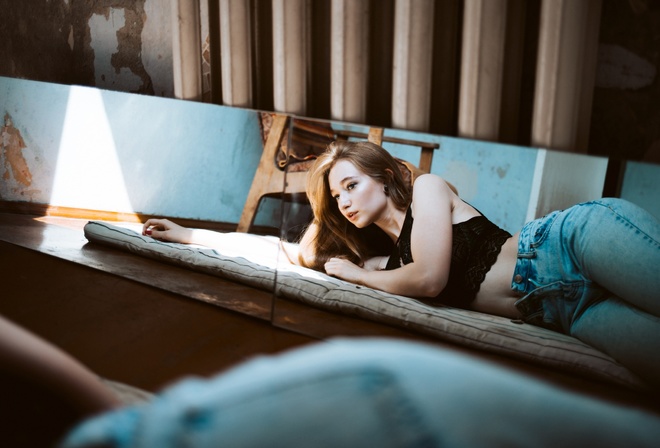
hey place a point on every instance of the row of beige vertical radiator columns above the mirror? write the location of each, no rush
(515, 71)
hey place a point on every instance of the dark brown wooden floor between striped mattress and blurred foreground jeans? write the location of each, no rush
(147, 324)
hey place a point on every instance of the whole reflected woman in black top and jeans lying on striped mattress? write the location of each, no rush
(590, 271)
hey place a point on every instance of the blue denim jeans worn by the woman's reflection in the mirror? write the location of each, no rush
(593, 271)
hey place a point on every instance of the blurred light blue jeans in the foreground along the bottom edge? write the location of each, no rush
(368, 392)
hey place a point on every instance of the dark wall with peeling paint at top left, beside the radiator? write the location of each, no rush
(122, 45)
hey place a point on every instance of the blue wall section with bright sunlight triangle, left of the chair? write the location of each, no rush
(104, 150)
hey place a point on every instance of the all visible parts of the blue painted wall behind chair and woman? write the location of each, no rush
(89, 148)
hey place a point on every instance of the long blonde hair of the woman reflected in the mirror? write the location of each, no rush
(335, 236)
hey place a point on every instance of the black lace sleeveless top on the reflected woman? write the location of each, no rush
(476, 243)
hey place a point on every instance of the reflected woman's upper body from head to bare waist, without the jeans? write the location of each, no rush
(355, 186)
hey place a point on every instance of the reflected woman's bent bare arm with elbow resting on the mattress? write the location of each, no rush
(431, 240)
